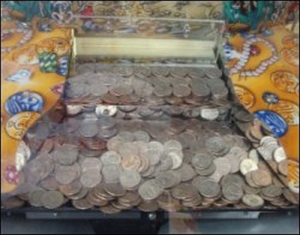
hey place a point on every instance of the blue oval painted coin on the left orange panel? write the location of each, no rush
(24, 101)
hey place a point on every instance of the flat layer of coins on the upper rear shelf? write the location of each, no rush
(125, 85)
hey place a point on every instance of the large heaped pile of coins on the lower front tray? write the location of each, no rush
(172, 165)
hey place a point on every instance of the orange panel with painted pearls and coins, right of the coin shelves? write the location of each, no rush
(266, 81)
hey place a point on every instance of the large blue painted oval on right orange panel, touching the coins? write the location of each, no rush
(274, 121)
